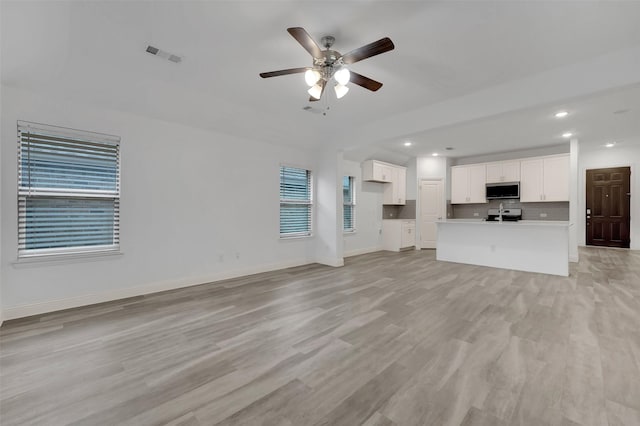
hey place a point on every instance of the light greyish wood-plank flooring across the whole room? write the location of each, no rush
(389, 339)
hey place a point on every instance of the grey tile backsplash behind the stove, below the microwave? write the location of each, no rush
(530, 211)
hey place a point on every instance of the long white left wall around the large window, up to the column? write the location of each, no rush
(196, 206)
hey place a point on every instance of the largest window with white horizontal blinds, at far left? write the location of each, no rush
(68, 191)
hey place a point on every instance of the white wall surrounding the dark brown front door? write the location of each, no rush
(600, 157)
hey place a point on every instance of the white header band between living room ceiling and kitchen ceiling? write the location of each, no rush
(613, 116)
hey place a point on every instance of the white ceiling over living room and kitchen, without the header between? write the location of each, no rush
(93, 51)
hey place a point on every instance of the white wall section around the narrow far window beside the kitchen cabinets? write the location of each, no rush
(368, 237)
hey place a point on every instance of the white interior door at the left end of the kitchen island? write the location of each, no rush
(431, 210)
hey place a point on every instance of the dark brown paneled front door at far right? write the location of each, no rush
(608, 207)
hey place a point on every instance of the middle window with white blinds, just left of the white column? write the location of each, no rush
(295, 202)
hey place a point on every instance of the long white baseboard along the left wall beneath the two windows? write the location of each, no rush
(91, 299)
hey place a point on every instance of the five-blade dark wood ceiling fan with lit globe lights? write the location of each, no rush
(328, 64)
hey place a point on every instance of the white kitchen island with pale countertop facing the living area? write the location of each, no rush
(527, 245)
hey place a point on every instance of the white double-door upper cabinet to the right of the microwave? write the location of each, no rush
(545, 179)
